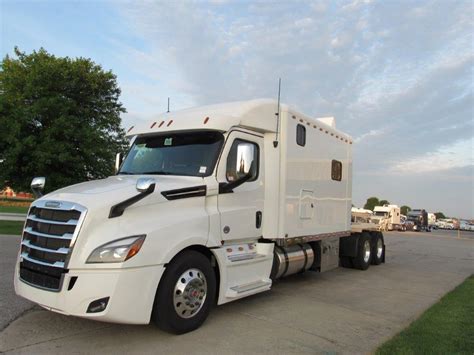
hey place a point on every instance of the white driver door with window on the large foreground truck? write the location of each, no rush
(241, 210)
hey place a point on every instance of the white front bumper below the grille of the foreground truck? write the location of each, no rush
(131, 291)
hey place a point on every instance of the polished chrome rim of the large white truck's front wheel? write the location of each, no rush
(190, 293)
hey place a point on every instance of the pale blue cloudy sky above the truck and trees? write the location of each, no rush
(397, 75)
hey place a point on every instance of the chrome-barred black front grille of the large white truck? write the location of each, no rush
(50, 231)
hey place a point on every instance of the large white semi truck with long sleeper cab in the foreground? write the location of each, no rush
(210, 205)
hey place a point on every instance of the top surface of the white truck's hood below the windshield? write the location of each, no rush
(114, 189)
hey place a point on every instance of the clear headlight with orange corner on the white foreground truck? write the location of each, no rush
(117, 251)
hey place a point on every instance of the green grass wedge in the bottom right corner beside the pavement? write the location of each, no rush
(446, 328)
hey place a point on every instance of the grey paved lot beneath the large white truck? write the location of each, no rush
(342, 311)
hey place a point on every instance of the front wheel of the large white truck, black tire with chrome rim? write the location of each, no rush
(186, 293)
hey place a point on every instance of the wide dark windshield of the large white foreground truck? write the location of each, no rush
(189, 154)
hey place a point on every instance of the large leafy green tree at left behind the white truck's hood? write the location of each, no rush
(59, 118)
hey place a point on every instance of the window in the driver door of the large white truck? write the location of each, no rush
(241, 156)
